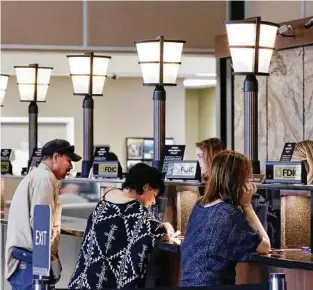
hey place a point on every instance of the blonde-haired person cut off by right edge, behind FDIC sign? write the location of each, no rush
(304, 152)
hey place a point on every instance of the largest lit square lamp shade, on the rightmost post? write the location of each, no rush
(251, 43)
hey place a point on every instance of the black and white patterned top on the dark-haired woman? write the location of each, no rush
(114, 250)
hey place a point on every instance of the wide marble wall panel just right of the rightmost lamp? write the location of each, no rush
(285, 100)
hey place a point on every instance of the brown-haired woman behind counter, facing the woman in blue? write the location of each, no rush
(205, 151)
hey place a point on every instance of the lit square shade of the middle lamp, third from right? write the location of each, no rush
(87, 81)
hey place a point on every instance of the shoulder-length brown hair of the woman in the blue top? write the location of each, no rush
(229, 173)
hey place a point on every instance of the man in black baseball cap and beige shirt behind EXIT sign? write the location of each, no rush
(40, 186)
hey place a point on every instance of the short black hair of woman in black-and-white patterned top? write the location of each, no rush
(141, 174)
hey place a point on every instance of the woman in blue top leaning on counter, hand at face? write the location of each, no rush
(223, 228)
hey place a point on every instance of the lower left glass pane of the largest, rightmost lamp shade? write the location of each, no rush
(242, 59)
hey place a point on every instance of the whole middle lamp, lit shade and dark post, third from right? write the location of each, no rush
(88, 72)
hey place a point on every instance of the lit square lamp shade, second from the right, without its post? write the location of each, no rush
(159, 60)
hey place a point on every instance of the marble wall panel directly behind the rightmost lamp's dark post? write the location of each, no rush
(239, 117)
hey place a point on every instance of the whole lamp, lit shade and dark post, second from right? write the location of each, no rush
(159, 60)
